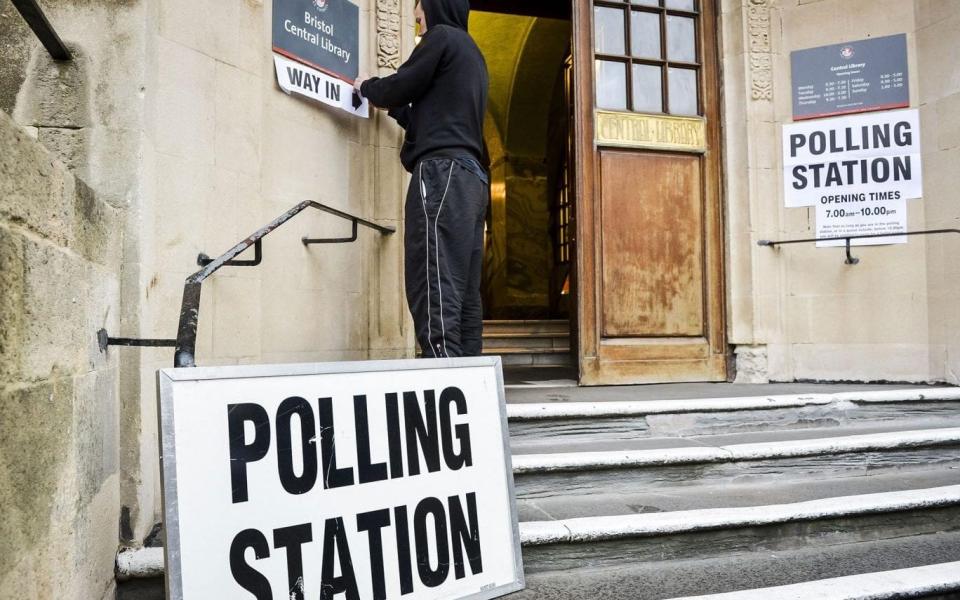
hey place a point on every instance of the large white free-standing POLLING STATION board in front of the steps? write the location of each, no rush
(357, 481)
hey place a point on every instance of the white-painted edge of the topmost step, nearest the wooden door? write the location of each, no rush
(564, 410)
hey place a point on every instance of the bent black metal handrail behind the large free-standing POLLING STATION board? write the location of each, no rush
(186, 341)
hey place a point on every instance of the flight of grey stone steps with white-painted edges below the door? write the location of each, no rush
(638, 499)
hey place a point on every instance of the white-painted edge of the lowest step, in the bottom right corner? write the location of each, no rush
(901, 583)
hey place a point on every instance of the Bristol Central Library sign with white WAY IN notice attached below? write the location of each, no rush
(317, 51)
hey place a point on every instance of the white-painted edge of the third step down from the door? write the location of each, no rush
(595, 529)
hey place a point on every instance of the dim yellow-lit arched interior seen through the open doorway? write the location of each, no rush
(528, 237)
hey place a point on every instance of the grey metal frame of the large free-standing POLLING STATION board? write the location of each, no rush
(168, 458)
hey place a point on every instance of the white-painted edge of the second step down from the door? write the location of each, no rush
(609, 459)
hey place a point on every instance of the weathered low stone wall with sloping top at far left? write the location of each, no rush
(60, 250)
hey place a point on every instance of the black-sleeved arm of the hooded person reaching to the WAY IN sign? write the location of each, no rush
(411, 79)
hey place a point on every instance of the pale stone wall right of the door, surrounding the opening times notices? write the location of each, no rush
(799, 311)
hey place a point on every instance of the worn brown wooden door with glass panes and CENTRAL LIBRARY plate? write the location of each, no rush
(649, 221)
